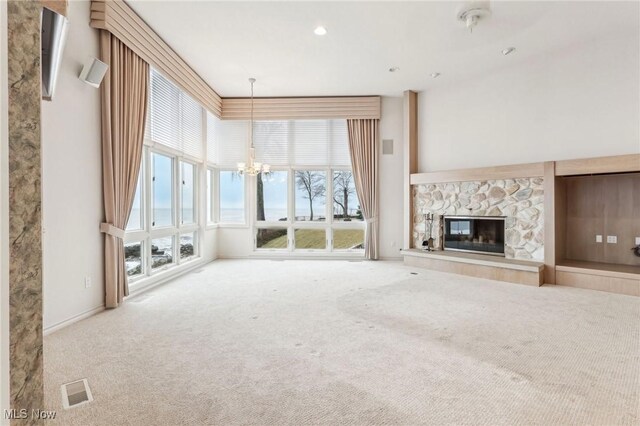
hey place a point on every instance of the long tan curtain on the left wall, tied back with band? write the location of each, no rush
(124, 110)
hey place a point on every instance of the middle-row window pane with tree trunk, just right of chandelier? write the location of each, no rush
(271, 198)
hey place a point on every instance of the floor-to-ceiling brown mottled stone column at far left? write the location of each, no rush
(25, 227)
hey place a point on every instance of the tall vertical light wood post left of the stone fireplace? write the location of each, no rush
(410, 161)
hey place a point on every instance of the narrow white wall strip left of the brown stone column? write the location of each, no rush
(4, 219)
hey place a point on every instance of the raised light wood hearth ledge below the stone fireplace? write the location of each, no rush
(477, 265)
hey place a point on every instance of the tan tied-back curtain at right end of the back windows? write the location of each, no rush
(363, 145)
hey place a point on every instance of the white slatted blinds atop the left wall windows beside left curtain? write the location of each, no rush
(175, 119)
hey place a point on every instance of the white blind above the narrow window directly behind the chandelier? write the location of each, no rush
(226, 141)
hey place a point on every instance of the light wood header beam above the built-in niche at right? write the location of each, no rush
(586, 166)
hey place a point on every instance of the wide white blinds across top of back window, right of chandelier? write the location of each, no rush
(302, 142)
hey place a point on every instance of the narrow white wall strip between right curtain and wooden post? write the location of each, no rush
(391, 180)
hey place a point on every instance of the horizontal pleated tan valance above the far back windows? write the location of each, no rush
(302, 108)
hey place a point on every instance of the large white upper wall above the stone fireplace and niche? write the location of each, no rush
(576, 102)
